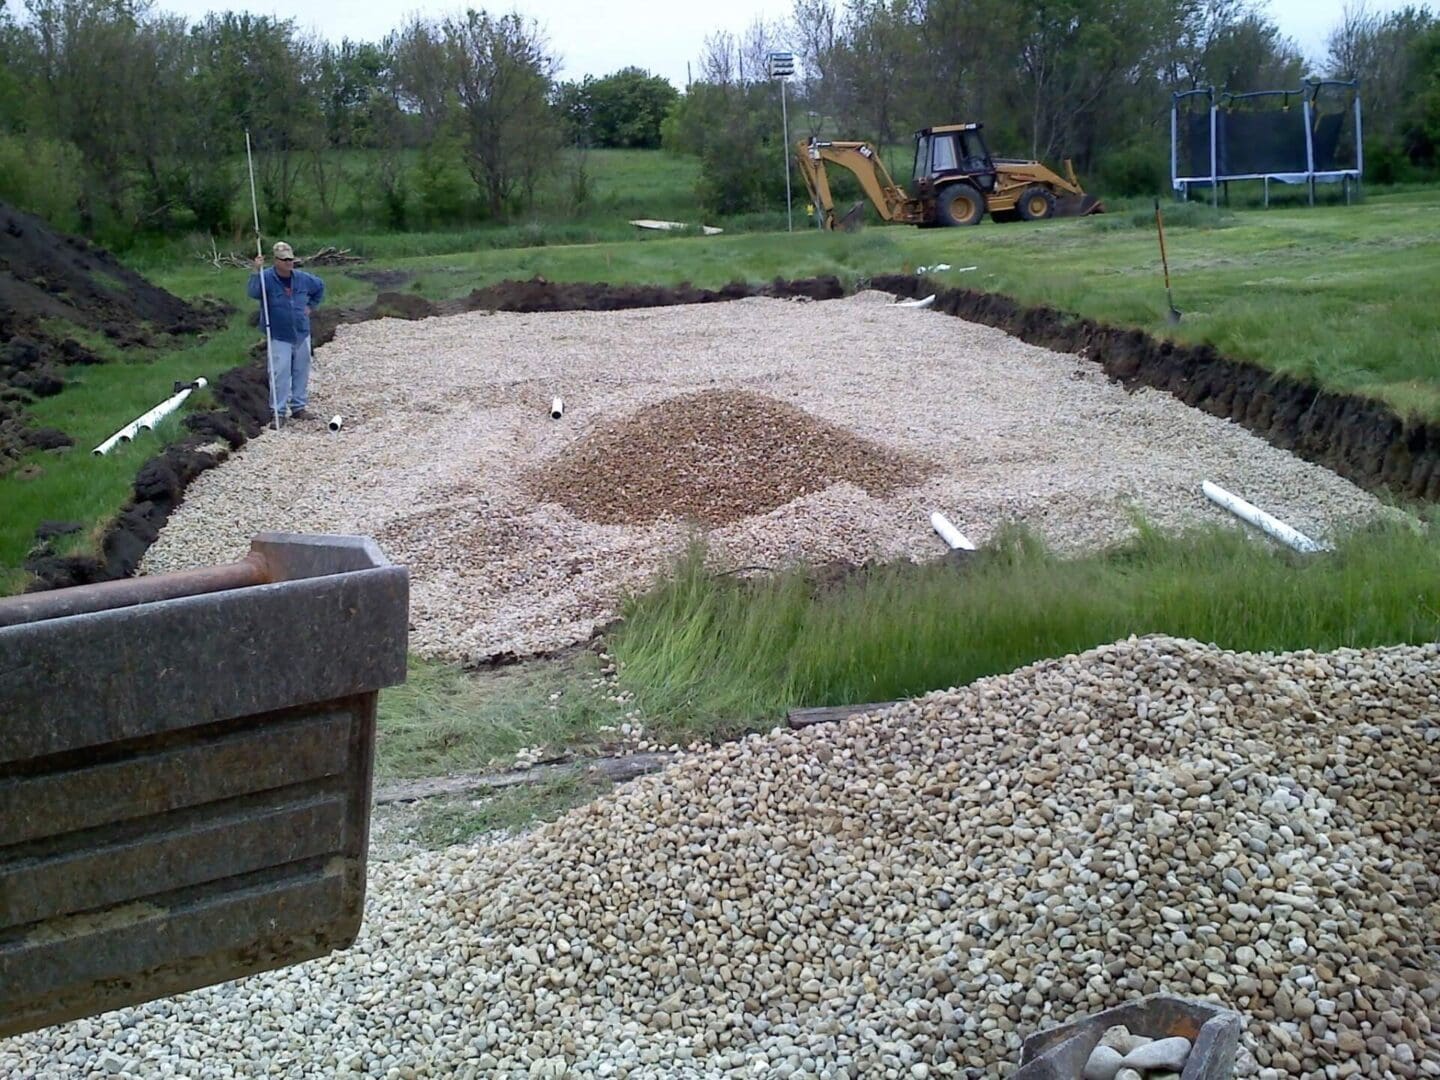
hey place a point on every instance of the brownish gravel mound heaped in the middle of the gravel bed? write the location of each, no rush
(715, 457)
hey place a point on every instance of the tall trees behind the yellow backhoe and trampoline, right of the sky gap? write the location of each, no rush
(1088, 80)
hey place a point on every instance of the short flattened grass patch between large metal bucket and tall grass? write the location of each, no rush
(446, 721)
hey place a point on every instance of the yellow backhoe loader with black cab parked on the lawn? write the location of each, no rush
(957, 182)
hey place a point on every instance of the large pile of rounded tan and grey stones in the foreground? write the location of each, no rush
(906, 895)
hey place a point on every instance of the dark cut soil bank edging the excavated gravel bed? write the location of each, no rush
(1362, 440)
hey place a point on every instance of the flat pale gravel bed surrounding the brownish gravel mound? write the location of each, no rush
(447, 423)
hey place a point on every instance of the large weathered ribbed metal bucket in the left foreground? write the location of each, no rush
(185, 773)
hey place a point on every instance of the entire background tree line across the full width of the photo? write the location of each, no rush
(120, 120)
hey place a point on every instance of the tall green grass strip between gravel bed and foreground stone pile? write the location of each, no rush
(716, 656)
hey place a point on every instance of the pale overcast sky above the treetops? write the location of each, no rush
(600, 37)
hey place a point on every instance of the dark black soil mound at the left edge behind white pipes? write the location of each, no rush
(51, 282)
